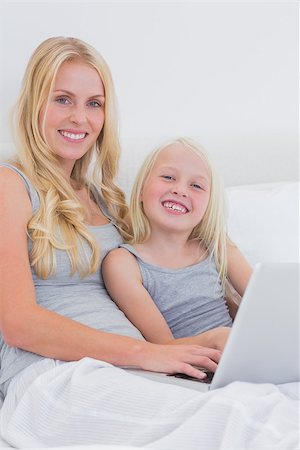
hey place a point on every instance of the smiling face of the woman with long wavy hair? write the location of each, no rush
(73, 119)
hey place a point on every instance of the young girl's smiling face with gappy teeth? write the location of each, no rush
(176, 193)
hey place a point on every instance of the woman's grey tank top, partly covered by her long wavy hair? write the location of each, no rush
(82, 299)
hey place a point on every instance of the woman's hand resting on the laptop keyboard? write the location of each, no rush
(180, 359)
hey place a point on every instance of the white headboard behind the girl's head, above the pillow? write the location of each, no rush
(239, 160)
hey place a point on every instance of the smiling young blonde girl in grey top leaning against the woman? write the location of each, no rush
(171, 278)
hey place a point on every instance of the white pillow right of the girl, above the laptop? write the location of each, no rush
(264, 221)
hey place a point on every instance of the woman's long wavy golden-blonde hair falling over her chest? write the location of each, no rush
(59, 222)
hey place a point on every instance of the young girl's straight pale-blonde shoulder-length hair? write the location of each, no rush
(211, 231)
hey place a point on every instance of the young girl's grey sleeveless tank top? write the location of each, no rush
(191, 299)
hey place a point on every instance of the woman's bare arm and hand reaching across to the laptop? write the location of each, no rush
(27, 325)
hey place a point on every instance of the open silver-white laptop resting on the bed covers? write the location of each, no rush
(263, 346)
